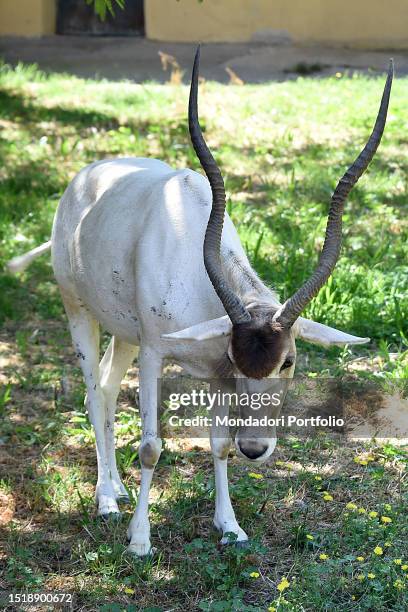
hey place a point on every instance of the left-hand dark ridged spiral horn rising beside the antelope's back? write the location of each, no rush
(212, 241)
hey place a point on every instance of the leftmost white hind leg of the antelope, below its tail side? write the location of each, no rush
(85, 338)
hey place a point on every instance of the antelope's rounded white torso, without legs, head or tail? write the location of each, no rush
(128, 236)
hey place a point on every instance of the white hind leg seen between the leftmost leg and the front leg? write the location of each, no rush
(113, 367)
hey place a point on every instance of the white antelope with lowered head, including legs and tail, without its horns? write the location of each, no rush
(127, 254)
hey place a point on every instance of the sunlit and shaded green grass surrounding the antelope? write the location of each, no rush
(282, 147)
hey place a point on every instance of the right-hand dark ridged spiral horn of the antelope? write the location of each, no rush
(292, 308)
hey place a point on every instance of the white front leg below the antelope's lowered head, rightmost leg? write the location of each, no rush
(224, 518)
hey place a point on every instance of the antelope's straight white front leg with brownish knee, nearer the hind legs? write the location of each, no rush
(149, 451)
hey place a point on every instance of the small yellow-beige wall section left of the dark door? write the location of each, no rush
(27, 17)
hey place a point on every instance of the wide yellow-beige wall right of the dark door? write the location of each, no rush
(368, 23)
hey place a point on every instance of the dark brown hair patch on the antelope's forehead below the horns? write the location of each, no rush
(258, 346)
